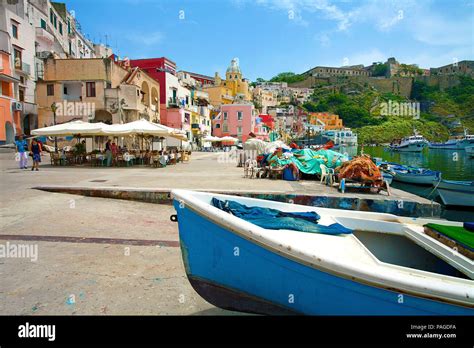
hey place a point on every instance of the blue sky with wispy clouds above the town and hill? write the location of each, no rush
(273, 36)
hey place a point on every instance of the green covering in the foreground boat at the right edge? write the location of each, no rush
(453, 236)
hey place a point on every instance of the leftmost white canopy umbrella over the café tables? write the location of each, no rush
(71, 129)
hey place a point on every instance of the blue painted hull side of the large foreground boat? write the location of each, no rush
(234, 273)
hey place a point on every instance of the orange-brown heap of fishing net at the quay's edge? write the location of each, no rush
(361, 169)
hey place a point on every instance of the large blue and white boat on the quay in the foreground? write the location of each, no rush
(385, 265)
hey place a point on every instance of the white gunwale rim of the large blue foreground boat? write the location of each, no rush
(381, 279)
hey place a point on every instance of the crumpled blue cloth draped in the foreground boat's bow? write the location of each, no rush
(274, 219)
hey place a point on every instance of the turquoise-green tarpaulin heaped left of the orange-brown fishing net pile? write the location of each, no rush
(308, 161)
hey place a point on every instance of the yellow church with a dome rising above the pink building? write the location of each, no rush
(233, 88)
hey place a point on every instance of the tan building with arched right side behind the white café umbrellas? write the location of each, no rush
(95, 90)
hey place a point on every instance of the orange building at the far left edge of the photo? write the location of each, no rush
(9, 112)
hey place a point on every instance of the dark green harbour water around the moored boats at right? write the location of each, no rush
(453, 164)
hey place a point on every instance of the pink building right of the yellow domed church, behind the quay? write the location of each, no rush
(238, 120)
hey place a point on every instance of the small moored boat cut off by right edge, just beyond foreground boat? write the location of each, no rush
(457, 193)
